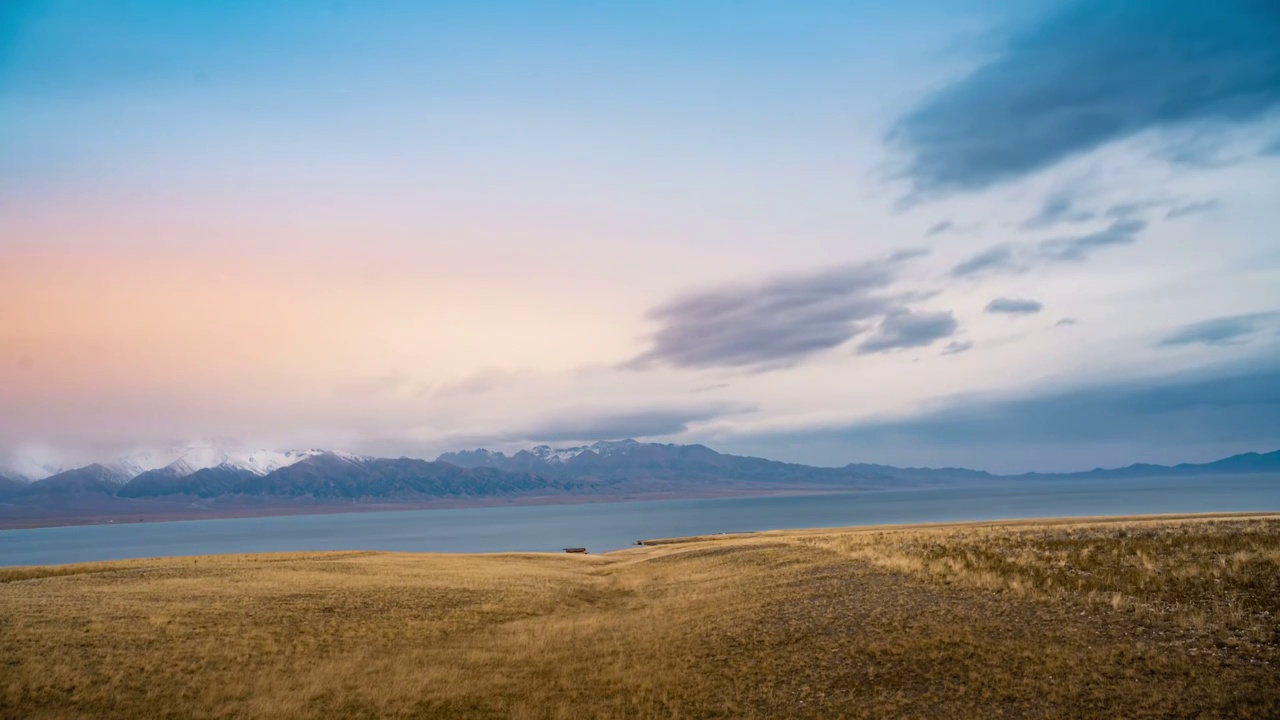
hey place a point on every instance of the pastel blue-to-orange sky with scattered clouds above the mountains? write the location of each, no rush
(1004, 235)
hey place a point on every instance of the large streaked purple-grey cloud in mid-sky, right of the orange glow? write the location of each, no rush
(776, 323)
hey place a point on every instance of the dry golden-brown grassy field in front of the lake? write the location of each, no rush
(1133, 618)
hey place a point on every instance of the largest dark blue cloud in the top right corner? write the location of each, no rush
(1095, 72)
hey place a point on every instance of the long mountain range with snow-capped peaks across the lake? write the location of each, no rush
(627, 468)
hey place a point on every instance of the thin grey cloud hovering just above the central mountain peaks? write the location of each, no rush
(638, 425)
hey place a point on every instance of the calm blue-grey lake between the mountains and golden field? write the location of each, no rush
(602, 527)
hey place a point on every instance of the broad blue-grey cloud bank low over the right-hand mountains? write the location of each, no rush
(1208, 413)
